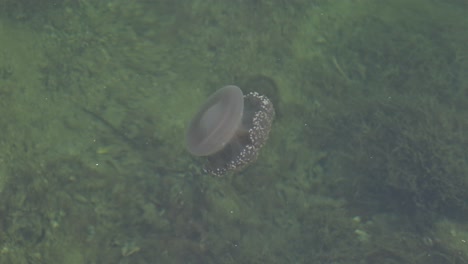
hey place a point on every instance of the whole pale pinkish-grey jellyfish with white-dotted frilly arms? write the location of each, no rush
(230, 129)
